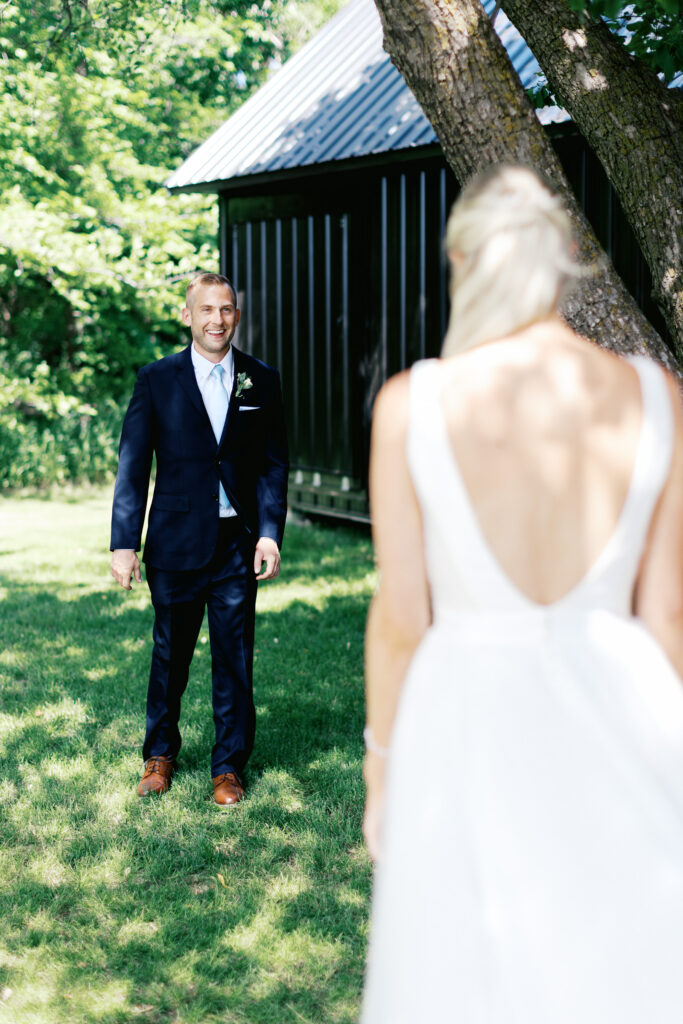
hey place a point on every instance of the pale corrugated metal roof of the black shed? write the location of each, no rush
(338, 98)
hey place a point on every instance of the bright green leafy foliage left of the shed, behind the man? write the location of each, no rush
(100, 103)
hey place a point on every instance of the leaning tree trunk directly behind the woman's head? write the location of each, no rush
(460, 73)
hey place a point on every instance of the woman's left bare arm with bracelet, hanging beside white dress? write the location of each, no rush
(401, 612)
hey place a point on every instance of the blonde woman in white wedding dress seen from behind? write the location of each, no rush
(525, 654)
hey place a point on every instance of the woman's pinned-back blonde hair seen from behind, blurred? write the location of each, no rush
(509, 241)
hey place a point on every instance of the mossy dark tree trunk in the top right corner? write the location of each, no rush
(633, 124)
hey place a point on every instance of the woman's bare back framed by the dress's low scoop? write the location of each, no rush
(545, 429)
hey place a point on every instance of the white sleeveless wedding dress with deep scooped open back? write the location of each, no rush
(533, 845)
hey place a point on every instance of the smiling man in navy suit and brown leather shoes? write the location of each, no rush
(214, 418)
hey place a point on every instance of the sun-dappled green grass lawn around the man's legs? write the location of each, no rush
(117, 910)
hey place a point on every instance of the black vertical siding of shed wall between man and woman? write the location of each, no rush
(339, 301)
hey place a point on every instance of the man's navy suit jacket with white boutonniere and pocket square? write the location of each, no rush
(166, 418)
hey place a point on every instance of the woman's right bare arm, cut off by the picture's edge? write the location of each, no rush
(660, 592)
